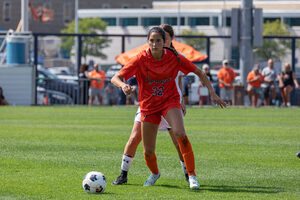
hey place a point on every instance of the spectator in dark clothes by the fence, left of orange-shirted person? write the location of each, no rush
(84, 83)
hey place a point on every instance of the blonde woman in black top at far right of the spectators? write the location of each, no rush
(287, 81)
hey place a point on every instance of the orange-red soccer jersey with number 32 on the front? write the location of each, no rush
(156, 79)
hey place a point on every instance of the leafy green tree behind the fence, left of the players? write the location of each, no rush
(90, 45)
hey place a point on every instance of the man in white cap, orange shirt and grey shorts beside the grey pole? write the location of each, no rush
(226, 78)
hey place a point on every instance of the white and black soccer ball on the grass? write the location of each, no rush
(94, 182)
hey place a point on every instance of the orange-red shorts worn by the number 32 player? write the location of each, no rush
(156, 117)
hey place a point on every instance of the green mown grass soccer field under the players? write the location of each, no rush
(241, 153)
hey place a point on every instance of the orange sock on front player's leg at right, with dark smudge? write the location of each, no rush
(187, 153)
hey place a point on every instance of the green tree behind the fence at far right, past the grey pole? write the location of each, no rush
(274, 48)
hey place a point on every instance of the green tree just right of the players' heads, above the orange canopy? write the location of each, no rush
(197, 43)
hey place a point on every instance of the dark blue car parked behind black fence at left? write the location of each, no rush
(49, 81)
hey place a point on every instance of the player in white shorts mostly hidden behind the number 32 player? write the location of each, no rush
(136, 135)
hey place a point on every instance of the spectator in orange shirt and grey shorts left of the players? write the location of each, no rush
(97, 84)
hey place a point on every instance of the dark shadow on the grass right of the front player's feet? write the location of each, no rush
(246, 189)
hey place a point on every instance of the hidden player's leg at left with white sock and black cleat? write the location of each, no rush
(129, 152)
